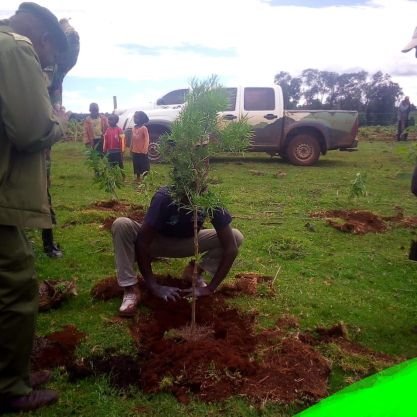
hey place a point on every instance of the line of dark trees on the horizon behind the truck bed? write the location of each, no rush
(375, 96)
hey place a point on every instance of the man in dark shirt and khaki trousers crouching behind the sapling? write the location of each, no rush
(168, 231)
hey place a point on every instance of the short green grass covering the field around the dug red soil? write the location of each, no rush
(326, 276)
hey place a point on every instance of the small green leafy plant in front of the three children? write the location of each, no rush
(108, 177)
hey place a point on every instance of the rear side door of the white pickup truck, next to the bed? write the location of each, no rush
(264, 110)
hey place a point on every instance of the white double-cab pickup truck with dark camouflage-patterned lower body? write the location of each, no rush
(298, 136)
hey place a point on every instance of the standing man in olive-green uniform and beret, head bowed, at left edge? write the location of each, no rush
(29, 41)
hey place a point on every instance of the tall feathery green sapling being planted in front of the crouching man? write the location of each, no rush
(197, 135)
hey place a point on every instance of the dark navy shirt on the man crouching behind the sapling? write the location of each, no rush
(170, 220)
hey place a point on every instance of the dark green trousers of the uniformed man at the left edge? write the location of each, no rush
(18, 310)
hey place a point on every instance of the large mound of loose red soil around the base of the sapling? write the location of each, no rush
(232, 359)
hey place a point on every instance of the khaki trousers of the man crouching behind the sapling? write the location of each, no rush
(125, 232)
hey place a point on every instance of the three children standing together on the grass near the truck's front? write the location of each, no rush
(103, 134)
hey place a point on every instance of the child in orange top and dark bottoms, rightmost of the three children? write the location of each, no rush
(139, 145)
